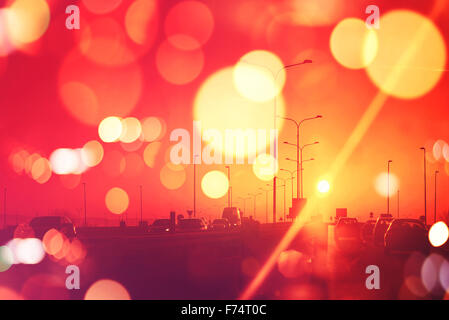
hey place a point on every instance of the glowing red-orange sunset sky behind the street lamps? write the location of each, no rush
(172, 62)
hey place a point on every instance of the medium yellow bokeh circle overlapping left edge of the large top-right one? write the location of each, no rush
(352, 44)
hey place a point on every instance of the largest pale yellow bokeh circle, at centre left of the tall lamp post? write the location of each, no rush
(221, 108)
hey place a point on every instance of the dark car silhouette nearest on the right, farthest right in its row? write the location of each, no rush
(406, 235)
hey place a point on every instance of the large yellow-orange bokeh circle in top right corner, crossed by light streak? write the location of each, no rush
(411, 55)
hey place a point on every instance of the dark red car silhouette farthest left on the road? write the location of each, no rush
(41, 225)
